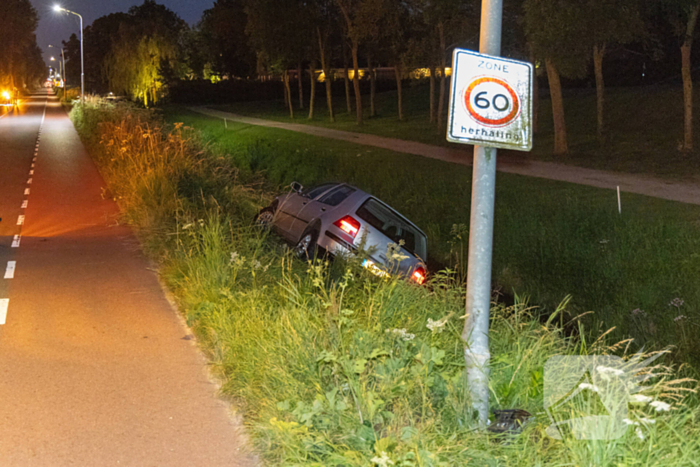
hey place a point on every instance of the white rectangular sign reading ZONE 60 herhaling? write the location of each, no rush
(490, 101)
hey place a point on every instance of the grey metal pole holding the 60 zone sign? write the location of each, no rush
(476, 326)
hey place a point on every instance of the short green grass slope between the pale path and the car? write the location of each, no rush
(551, 239)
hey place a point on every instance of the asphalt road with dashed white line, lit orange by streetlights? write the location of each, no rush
(96, 368)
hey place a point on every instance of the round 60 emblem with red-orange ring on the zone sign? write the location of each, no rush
(491, 101)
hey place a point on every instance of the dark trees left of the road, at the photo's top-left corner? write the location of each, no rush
(21, 63)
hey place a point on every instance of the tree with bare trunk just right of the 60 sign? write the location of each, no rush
(556, 29)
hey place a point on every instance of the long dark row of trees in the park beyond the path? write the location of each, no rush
(141, 51)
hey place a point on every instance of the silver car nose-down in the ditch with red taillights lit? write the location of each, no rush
(338, 217)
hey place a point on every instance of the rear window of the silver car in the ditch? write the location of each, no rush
(393, 225)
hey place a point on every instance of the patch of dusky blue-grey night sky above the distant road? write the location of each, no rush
(56, 27)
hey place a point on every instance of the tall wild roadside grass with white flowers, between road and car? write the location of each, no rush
(333, 366)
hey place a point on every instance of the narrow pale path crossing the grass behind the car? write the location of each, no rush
(684, 192)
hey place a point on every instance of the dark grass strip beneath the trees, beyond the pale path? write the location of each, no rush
(645, 127)
